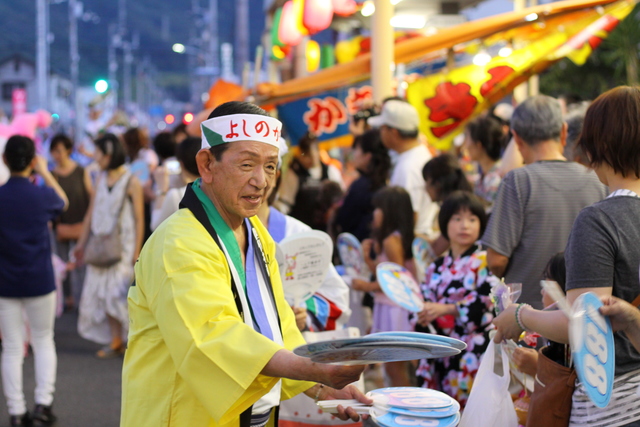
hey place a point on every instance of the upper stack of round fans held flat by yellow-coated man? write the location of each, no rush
(381, 347)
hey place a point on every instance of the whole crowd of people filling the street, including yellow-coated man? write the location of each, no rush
(526, 190)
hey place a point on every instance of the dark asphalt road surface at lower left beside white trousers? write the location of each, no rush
(87, 389)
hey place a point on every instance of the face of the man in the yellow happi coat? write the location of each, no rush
(241, 180)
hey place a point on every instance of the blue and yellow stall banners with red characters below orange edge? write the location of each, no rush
(451, 76)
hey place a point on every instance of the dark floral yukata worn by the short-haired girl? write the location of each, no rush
(463, 282)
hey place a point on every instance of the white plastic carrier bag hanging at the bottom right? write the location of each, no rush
(490, 403)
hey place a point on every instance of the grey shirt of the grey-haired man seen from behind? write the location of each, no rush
(533, 215)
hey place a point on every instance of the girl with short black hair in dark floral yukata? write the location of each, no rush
(457, 302)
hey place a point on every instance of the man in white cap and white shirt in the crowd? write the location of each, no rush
(398, 123)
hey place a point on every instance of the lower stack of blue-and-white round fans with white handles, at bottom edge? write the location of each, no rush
(404, 406)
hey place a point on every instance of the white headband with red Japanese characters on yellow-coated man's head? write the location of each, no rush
(241, 127)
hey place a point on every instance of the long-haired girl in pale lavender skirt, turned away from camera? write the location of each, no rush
(392, 235)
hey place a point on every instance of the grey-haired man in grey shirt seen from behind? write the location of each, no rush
(537, 204)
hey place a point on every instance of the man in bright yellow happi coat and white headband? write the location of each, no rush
(211, 334)
